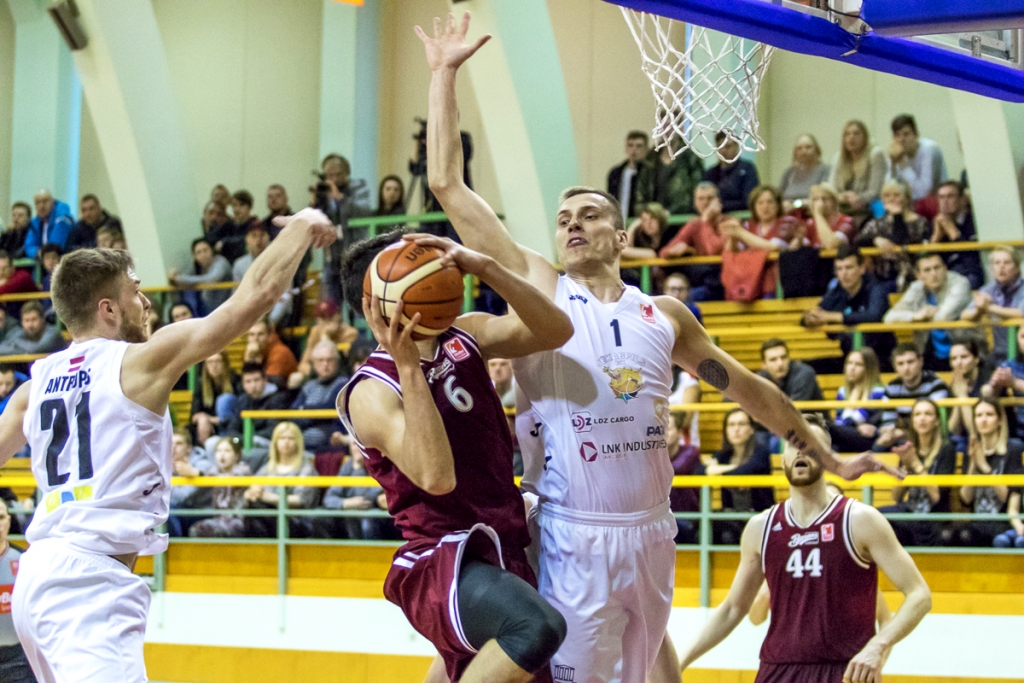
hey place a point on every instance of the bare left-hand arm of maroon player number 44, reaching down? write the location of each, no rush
(738, 604)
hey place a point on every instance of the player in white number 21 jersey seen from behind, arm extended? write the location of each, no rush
(97, 418)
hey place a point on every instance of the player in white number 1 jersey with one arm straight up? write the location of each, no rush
(608, 556)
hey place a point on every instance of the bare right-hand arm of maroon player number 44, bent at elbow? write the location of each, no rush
(873, 534)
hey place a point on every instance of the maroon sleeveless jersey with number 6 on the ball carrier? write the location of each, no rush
(482, 446)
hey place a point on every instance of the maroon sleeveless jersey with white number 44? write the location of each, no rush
(823, 591)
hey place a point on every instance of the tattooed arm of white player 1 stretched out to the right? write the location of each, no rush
(761, 399)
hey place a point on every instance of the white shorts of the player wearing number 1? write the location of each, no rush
(612, 577)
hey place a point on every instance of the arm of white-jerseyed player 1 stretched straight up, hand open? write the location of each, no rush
(476, 223)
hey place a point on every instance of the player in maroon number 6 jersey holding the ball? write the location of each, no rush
(435, 436)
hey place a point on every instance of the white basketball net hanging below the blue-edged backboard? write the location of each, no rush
(704, 90)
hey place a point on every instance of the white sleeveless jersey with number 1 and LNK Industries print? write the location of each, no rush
(601, 406)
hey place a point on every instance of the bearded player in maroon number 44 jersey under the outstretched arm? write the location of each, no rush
(821, 554)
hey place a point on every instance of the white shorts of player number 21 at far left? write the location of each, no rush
(81, 618)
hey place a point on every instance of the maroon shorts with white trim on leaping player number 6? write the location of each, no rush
(424, 580)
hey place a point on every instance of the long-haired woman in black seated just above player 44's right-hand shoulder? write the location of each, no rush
(926, 451)
